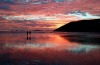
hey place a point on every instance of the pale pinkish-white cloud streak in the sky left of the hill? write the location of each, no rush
(30, 17)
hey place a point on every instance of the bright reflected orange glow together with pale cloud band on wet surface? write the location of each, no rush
(53, 41)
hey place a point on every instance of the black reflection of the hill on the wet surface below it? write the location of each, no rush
(84, 38)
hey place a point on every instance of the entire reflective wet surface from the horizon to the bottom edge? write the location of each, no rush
(50, 49)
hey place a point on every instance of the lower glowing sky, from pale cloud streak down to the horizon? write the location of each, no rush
(41, 22)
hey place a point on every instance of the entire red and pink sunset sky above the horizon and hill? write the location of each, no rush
(45, 14)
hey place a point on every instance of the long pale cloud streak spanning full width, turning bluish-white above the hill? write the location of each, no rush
(74, 16)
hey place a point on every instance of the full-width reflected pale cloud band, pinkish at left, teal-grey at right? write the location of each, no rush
(68, 47)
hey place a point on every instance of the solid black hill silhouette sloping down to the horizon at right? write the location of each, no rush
(81, 26)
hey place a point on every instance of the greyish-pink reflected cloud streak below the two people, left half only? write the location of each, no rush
(29, 46)
